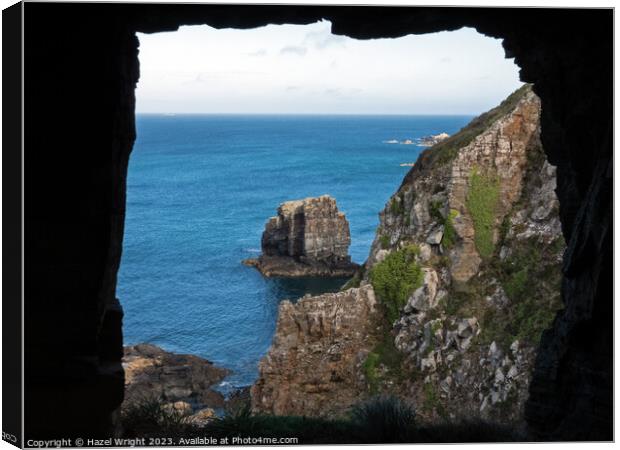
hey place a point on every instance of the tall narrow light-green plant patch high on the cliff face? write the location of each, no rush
(481, 202)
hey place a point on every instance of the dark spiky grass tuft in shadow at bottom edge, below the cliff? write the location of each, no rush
(384, 419)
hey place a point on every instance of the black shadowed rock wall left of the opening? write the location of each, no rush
(80, 73)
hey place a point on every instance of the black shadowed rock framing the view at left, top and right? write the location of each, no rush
(81, 68)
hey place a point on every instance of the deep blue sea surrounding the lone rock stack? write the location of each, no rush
(200, 188)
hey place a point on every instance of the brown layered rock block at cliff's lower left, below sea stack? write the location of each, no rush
(312, 367)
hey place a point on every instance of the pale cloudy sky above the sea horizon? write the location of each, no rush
(304, 69)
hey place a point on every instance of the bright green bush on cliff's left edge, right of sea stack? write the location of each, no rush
(395, 278)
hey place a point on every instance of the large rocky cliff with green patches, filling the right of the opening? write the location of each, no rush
(465, 268)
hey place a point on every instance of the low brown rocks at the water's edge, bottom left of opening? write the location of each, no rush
(183, 382)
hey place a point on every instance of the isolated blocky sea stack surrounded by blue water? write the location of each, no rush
(308, 237)
